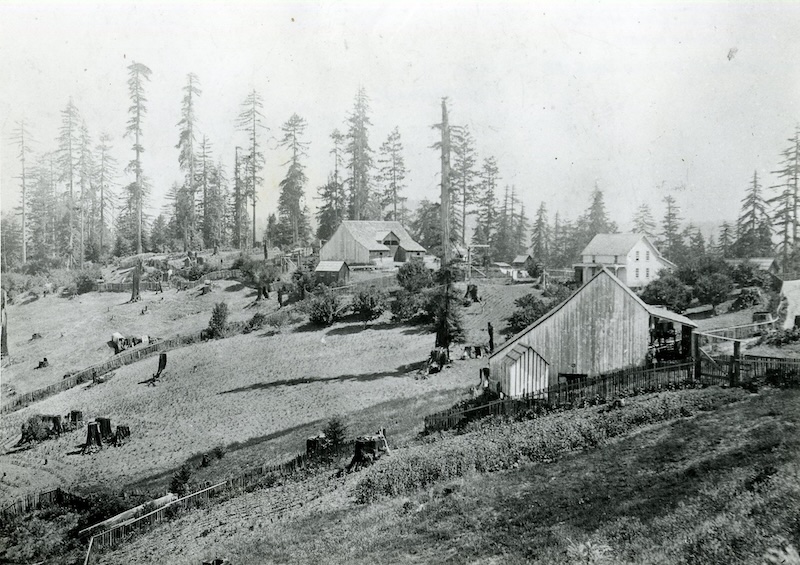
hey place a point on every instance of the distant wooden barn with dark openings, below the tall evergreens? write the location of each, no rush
(365, 242)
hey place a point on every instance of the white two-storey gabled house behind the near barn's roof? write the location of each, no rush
(631, 257)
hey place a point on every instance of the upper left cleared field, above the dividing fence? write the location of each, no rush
(75, 331)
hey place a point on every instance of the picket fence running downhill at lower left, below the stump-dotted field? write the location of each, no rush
(121, 532)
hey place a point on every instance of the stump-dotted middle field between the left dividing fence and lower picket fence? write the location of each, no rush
(257, 395)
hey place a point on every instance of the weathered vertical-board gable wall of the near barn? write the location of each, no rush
(603, 327)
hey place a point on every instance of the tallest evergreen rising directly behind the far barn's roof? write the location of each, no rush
(361, 205)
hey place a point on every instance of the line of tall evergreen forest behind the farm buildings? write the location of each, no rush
(78, 204)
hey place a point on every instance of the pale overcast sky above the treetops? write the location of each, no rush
(637, 97)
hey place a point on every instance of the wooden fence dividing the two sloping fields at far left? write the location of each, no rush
(125, 358)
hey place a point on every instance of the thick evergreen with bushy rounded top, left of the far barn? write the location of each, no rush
(293, 185)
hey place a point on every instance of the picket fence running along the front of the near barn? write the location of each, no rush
(576, 392)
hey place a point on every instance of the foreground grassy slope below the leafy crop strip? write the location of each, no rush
(720, 487)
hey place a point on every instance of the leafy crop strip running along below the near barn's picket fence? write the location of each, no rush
(501, 446)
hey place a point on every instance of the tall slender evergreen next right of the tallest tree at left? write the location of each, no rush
(186, 155)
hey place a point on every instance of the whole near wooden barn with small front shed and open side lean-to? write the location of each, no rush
(602, 327)
